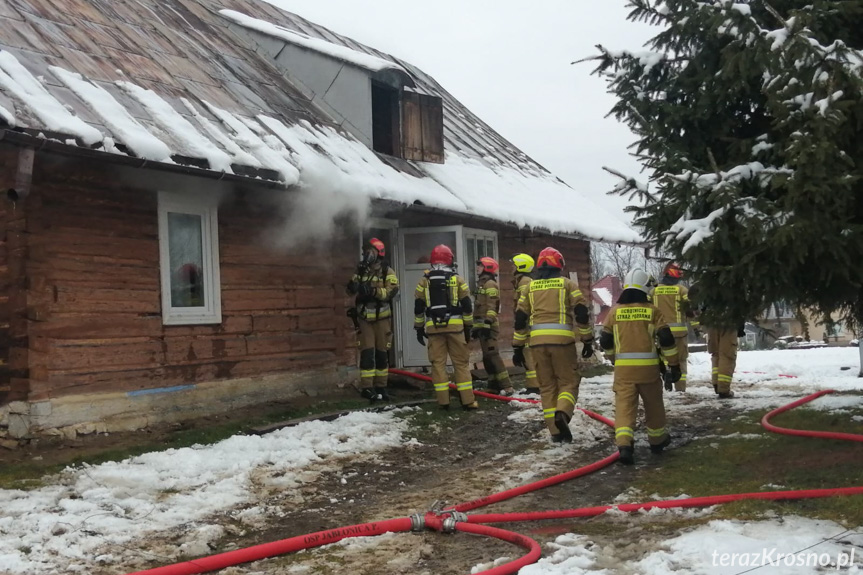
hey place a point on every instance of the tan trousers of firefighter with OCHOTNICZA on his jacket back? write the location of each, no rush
(626, 409)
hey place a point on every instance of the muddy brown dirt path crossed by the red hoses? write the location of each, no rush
(470, 455)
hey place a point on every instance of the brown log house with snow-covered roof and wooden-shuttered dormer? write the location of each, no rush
(189, 183)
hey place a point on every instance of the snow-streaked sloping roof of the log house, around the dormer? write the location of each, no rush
(159, 81)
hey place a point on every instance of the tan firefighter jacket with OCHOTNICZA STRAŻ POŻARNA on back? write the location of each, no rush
(628, 339)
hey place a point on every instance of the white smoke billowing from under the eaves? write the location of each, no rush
(316, 211)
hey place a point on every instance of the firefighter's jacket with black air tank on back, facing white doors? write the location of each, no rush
(442, 310)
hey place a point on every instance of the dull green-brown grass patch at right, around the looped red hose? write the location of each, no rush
(771, 462)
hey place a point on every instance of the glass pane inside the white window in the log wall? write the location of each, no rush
(186, 259)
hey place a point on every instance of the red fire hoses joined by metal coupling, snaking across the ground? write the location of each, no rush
(454, 519)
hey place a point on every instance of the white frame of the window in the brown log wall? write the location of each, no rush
(207, 209)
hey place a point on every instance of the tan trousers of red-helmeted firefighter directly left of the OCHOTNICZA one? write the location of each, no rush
(558, 378)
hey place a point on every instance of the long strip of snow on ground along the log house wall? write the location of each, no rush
(59, 528)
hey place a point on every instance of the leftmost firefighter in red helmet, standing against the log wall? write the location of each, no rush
(375, 285)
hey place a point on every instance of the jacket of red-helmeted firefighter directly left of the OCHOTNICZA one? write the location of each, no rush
(544, 314)
